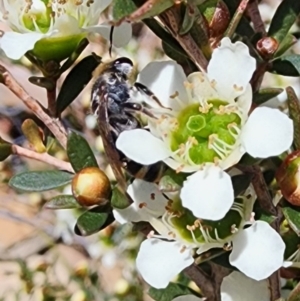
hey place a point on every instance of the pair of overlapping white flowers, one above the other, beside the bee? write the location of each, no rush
(205, 125)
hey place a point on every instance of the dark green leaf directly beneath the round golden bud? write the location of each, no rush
(94, 220)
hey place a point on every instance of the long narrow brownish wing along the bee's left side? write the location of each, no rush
(112, 154)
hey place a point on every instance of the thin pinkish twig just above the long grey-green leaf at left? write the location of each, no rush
(42, 157)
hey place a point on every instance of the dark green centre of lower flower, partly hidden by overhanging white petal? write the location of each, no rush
(194, 230)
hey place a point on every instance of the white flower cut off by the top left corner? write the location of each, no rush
(35, 20)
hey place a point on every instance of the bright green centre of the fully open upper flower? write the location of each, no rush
(205, 135)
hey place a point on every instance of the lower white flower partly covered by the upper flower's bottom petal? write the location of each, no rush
(257, 250)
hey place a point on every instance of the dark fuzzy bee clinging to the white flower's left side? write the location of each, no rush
(116, 110)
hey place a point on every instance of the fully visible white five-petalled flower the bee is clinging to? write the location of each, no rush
(208, 126)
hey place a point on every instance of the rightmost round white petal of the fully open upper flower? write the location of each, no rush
(268, 132)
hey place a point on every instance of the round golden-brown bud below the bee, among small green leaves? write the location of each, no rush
(91, 187)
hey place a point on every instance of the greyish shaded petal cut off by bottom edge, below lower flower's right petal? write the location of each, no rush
(238, 287)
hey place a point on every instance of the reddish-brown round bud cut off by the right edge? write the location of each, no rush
(288, 178)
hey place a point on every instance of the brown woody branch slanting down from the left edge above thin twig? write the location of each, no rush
(54, 125)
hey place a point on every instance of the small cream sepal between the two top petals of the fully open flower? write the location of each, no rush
(201, 88)
